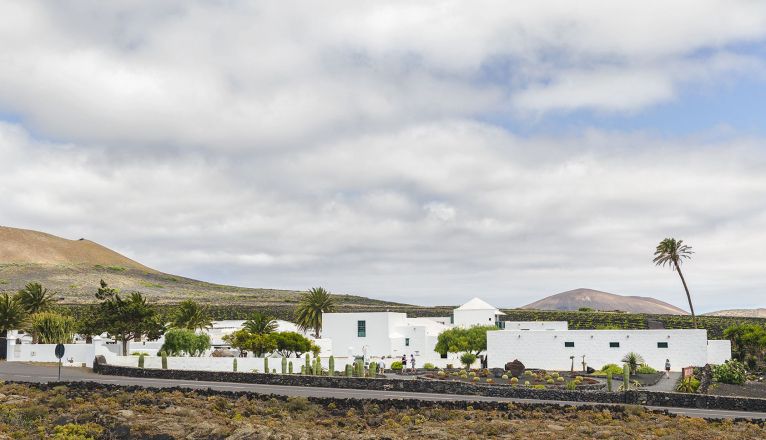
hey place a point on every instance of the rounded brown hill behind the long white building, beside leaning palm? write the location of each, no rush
(597, 300)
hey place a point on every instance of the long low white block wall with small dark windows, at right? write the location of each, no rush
(545, 349)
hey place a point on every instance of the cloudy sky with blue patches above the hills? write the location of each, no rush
(424, 152)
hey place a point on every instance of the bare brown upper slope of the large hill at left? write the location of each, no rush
(26, 246)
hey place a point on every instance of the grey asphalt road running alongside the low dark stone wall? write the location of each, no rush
(23, 372)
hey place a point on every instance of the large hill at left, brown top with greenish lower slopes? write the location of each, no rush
(73, 269)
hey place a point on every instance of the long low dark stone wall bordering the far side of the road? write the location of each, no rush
(639, 397)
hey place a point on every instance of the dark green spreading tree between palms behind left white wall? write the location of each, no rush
(128, 319)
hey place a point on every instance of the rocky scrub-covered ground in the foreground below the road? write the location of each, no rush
(92, 411)
